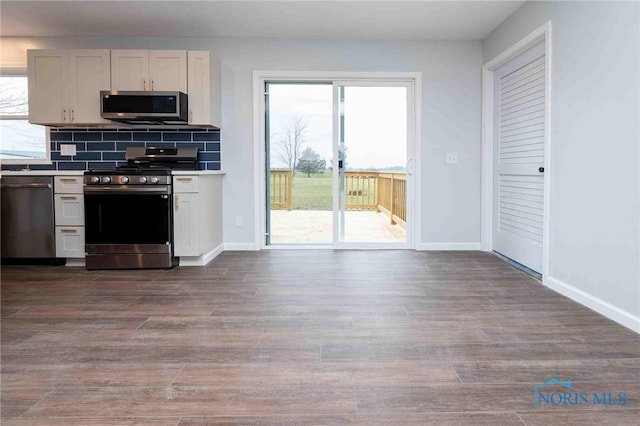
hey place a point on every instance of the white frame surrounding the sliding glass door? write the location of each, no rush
(414, 79)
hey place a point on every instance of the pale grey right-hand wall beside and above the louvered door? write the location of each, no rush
(595, 154)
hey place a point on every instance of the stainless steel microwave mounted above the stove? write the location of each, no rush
(151, 107)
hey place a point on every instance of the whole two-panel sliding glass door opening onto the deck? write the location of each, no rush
(336, 156)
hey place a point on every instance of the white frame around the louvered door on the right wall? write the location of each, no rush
(541, 34)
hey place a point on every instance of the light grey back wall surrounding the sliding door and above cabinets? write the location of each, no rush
(450, 115)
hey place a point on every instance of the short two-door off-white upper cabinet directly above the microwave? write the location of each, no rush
(143, 70)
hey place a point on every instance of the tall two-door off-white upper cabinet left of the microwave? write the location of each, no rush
(64, 85)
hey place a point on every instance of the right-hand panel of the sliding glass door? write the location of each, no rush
(372, 157)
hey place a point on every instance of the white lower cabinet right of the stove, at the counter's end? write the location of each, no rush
(197, 217)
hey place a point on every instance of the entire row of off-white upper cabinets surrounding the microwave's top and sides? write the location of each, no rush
(65, 85)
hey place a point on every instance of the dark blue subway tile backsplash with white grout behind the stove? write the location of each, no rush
(105, 148)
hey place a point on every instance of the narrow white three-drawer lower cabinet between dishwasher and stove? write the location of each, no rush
(69, 216)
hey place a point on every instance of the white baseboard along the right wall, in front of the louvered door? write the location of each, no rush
(600, 306)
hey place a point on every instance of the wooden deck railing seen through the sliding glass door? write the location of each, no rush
(364, 190)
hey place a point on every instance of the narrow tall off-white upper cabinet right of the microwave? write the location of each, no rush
(203, 88)
